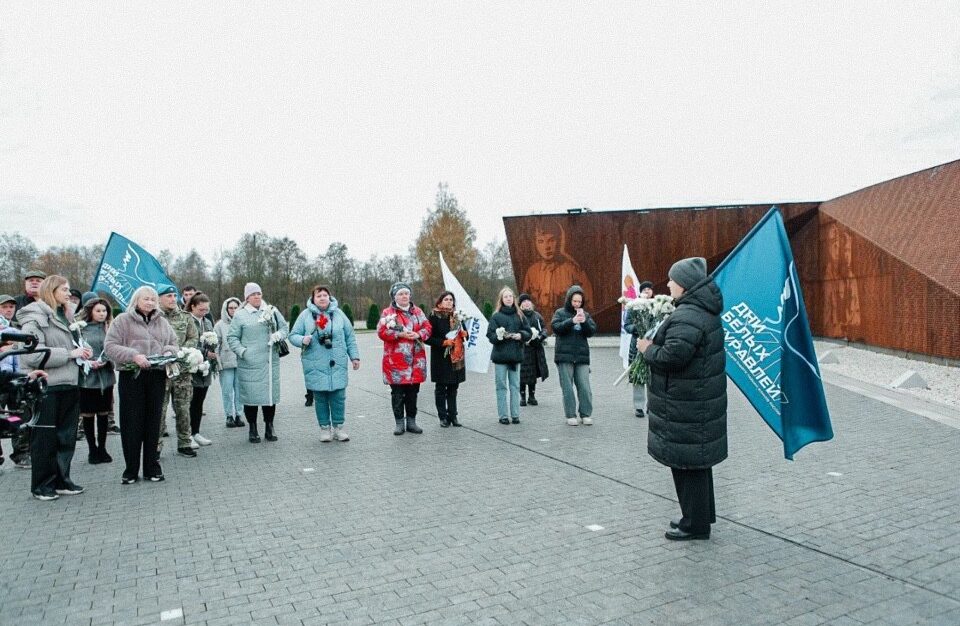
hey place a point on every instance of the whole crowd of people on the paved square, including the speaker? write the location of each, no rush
(145, 352)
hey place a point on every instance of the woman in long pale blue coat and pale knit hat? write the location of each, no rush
(255, 334)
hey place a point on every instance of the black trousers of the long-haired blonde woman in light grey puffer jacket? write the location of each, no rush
(53, 441)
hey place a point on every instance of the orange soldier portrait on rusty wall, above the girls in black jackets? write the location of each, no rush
(548, 278)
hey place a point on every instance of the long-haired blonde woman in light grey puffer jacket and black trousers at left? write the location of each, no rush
(53, 440)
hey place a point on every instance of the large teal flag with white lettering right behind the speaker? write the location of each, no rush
(770, 354)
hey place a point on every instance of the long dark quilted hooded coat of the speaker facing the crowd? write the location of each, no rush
(688, 384)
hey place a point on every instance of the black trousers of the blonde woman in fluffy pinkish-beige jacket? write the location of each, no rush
(141, 405)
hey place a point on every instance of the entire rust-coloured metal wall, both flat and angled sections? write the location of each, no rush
(878, 266)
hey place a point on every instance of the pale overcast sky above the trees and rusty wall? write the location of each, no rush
(187, 124)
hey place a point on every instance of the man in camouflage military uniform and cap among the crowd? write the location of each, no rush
(180, 387)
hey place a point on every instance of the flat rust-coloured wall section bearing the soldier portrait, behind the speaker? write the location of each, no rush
(552, 252)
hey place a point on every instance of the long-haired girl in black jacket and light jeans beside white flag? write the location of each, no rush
(508, 331)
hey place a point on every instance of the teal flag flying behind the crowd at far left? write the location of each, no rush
(124, 267)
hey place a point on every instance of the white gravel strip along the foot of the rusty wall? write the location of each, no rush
(880, 369)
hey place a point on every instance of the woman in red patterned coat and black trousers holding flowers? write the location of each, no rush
(403, 328)
